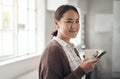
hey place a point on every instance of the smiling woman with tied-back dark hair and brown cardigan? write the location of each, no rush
(60, 59)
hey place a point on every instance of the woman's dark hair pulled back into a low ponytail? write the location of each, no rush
(59, 14)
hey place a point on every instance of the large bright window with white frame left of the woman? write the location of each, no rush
(17, 28)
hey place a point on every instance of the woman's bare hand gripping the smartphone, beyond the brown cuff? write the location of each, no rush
(88, 64)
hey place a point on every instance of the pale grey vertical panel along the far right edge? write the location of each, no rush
(116, 38)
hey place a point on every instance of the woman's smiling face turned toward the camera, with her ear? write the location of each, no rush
(68, 26)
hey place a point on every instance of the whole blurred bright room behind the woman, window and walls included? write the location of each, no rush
(25, 27)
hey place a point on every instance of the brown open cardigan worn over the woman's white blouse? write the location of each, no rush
(55, 65)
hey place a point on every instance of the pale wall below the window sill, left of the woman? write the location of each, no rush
(15, 69)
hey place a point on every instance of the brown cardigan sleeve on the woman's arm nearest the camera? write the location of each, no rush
(51, 66)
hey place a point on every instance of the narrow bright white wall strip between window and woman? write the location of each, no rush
(41, 18)
